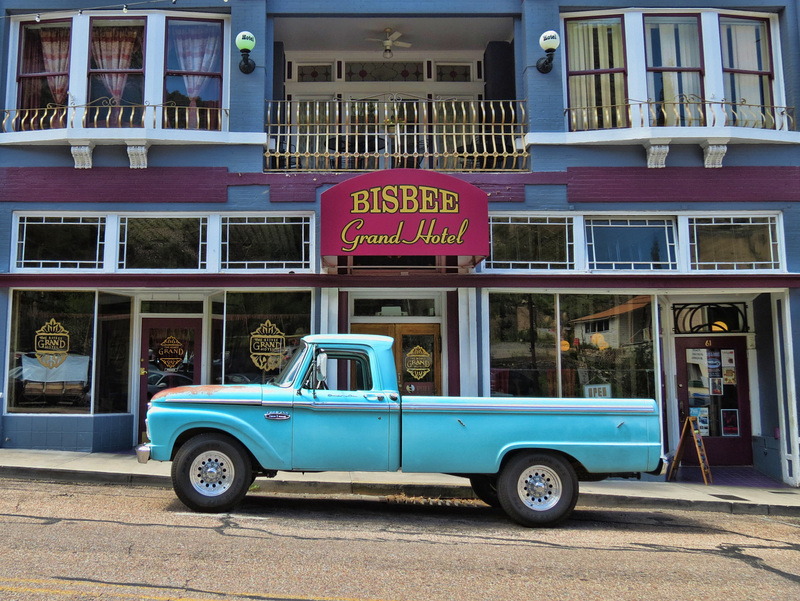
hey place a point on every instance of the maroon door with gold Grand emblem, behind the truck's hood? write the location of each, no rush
(170, 356)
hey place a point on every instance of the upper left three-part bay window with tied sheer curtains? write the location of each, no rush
(126, 71)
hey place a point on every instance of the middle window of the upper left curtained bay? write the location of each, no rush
(116, 72)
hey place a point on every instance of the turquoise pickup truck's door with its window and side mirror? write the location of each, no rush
(340, 421)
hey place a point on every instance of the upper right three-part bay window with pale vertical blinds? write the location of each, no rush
(682, 70)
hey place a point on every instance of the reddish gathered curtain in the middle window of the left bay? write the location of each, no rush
(112, 49)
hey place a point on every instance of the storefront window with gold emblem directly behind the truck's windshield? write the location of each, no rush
(261, 331)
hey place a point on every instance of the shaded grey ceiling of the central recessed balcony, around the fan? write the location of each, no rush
(426, 34)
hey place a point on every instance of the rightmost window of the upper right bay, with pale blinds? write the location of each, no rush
(747, 71)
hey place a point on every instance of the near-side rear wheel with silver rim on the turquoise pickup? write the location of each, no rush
(538, 489)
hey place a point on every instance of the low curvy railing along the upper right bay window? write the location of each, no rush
(687, 111)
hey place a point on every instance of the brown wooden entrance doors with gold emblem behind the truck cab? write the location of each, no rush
(417, 354)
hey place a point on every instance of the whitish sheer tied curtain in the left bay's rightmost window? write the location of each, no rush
(198, 48)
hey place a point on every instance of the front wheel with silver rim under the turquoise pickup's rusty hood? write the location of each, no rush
(211, 473)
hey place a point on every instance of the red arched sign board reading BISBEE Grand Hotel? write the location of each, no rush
(404, 212)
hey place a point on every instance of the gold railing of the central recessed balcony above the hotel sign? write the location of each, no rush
(369, 134)
